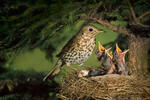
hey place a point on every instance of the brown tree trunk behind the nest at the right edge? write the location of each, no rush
(138, 54)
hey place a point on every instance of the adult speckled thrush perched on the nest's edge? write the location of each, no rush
(77, 50)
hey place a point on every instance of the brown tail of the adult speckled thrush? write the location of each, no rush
(54, 71)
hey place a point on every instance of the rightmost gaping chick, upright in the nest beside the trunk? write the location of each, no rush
(119, 60)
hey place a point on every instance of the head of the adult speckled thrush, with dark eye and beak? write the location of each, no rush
(90, 30)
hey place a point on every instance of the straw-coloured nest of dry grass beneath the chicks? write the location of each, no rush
(107, 87)
